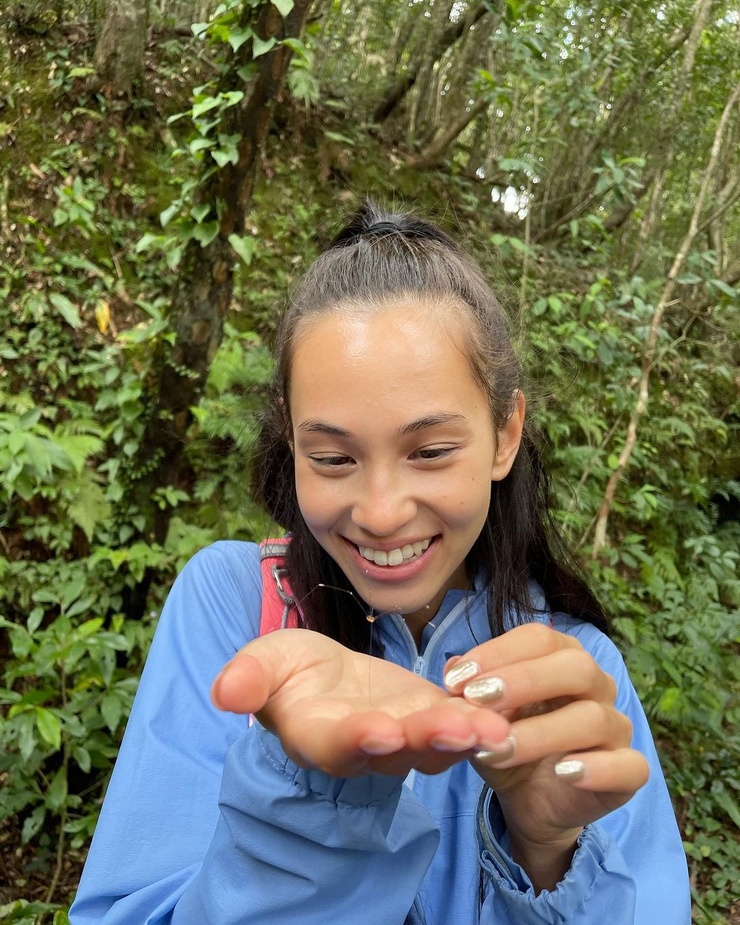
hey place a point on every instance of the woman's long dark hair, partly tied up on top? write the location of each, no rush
(378, 256)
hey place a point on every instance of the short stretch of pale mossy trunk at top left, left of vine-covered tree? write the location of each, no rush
(119, 54)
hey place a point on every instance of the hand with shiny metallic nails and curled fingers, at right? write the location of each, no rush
(569, 761)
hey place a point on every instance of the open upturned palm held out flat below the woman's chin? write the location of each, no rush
(349, 714)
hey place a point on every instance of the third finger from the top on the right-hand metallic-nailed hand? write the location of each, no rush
(578, 726)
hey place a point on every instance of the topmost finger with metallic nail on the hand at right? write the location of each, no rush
(534, 640)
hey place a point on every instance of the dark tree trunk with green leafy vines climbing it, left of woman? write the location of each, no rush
(203, 292)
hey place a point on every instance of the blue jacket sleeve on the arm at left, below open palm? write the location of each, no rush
(206, 822)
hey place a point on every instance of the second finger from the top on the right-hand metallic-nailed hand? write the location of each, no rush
(570, 673)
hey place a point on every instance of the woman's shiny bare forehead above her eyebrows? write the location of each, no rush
(383, 360)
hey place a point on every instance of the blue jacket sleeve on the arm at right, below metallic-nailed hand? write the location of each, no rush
(628, 869)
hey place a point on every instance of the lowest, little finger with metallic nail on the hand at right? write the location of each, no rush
(615, 774)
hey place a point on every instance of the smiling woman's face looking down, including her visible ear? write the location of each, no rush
(395, 451)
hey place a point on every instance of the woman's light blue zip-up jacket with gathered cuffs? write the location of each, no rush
(207, 822)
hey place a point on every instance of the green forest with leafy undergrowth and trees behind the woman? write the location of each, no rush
(168, 166)
